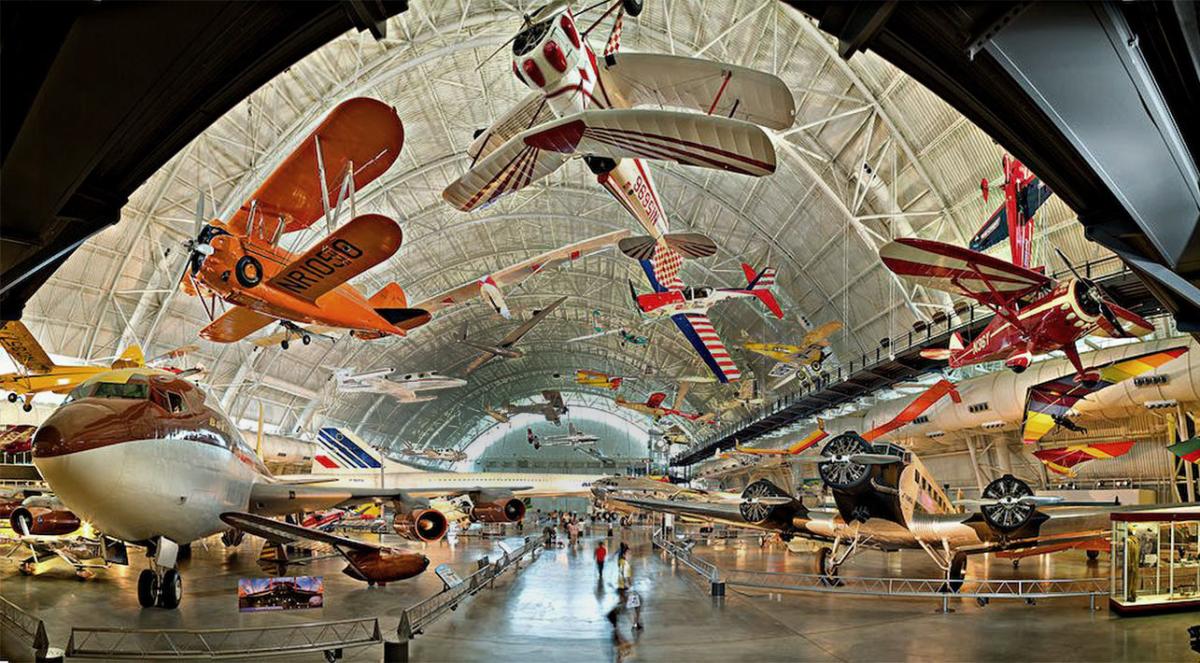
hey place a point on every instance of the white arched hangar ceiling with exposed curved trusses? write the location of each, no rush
(819, 219)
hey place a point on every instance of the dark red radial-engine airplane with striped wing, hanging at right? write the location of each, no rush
(1035, 314)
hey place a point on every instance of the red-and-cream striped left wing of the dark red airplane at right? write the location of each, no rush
(945, 267)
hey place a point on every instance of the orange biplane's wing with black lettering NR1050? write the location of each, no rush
(349, 252)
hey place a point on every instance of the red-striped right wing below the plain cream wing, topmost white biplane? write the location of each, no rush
(687, 139)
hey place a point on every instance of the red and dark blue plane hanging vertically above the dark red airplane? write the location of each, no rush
(1024, 195)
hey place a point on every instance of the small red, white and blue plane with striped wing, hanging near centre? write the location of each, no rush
(688, 308)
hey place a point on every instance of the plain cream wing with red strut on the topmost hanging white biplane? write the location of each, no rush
(713, 88)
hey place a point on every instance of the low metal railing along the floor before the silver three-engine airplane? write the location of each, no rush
(985, 590)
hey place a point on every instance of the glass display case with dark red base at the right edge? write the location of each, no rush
(1156, 562)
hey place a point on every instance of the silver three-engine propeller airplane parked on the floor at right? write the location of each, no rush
(886, 499)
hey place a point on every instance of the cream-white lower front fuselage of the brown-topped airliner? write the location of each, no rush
(146, 488)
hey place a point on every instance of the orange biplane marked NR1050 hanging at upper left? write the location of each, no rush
(241, 261)
